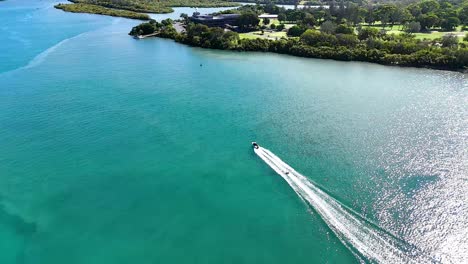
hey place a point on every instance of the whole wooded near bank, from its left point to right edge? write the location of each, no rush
(433, 57)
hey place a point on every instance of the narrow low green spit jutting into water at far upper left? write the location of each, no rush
(93, 9)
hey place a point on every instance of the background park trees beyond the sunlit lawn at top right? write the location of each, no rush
(442, 14)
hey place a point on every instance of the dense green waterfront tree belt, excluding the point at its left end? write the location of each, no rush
(368, 46)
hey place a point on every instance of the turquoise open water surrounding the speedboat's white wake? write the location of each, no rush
(114, 150)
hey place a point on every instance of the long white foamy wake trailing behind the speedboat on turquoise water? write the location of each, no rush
(354, 232)
